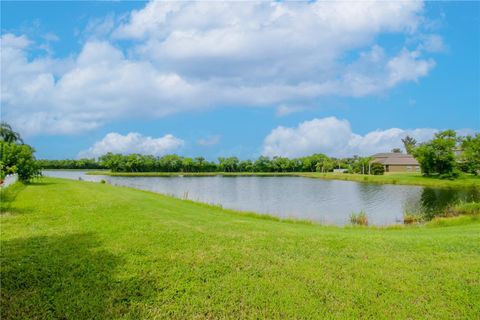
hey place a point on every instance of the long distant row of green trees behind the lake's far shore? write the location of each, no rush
(176, 163)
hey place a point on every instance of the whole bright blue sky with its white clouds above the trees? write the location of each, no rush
(217, 79)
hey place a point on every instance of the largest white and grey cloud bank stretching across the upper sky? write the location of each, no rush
(184, 56)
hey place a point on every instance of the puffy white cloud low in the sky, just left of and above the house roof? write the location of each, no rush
(335, 137)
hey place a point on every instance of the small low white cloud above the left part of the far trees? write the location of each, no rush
(133, 143)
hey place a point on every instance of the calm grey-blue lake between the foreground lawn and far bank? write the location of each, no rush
(324, 201)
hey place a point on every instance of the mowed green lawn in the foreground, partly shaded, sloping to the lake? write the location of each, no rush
(80, 250)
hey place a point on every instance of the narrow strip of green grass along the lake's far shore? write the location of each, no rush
(389, 178)
